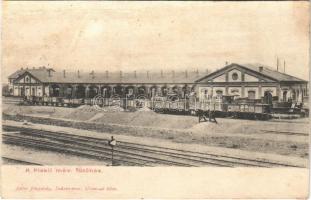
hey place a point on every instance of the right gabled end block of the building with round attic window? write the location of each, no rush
(253, 81)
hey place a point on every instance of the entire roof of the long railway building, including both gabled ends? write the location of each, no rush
(179, 77)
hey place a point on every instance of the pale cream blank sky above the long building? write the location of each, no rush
(154, 35)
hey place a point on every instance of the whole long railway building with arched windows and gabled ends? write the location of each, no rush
(251, 81)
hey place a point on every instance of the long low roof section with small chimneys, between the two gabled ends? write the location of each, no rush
(179, 77)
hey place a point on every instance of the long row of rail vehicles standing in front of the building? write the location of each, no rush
(250, 110)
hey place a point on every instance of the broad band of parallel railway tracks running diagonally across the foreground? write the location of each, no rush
(125, 153)
